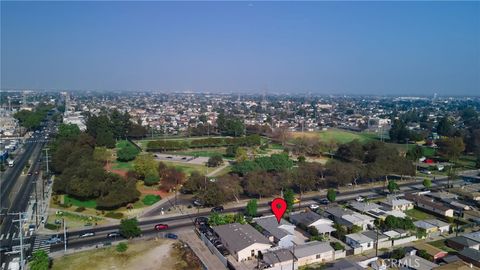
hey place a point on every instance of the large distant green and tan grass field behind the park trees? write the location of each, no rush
(337, 135)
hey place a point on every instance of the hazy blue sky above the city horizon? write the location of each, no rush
(322, 47)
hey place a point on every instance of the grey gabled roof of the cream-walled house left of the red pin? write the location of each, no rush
(238, 236)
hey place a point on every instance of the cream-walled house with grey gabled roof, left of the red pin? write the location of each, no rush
(242, 240)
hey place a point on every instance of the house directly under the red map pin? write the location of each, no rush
(282, 234)
